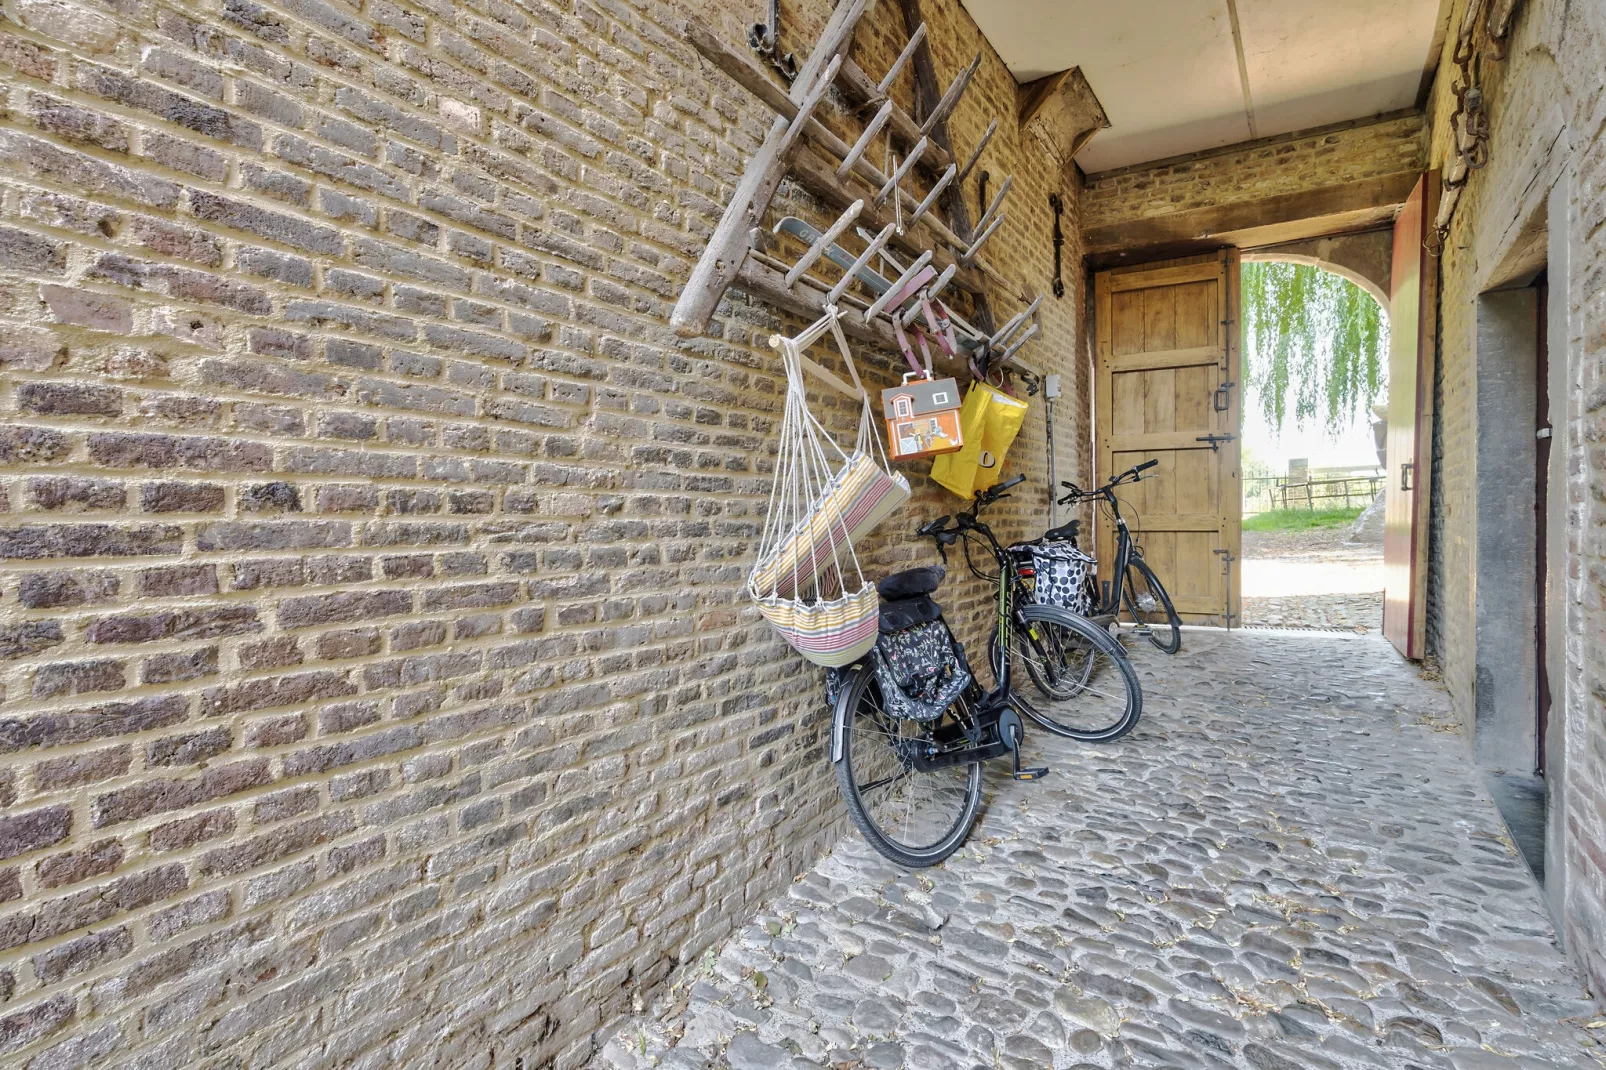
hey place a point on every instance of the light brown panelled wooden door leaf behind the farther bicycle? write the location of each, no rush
(1167, 385)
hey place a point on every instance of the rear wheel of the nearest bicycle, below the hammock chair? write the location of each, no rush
(913, 815)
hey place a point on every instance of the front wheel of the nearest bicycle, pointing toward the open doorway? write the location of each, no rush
(1093, 693)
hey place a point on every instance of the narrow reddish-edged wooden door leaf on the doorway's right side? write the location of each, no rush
(1414, 308)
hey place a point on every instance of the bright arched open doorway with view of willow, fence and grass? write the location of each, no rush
(1316, 343)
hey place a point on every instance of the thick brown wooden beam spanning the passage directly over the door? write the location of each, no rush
(1284, 218)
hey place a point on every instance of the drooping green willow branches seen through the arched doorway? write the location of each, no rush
(1313, 340)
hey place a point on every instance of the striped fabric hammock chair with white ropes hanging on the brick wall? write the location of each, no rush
(807, 581)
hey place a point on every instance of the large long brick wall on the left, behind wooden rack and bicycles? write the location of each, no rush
(377, 684)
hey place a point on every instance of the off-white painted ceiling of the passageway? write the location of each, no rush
(1168, 71)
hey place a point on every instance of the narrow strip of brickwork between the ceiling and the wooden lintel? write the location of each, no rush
(1290, 163)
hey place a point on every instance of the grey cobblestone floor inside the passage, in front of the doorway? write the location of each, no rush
(1287, 867)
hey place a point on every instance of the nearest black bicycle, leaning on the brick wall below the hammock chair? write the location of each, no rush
(913, 778)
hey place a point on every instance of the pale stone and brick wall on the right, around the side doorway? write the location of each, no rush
(1549, 136)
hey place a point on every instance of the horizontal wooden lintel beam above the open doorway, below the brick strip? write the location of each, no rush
(1176, 229)
